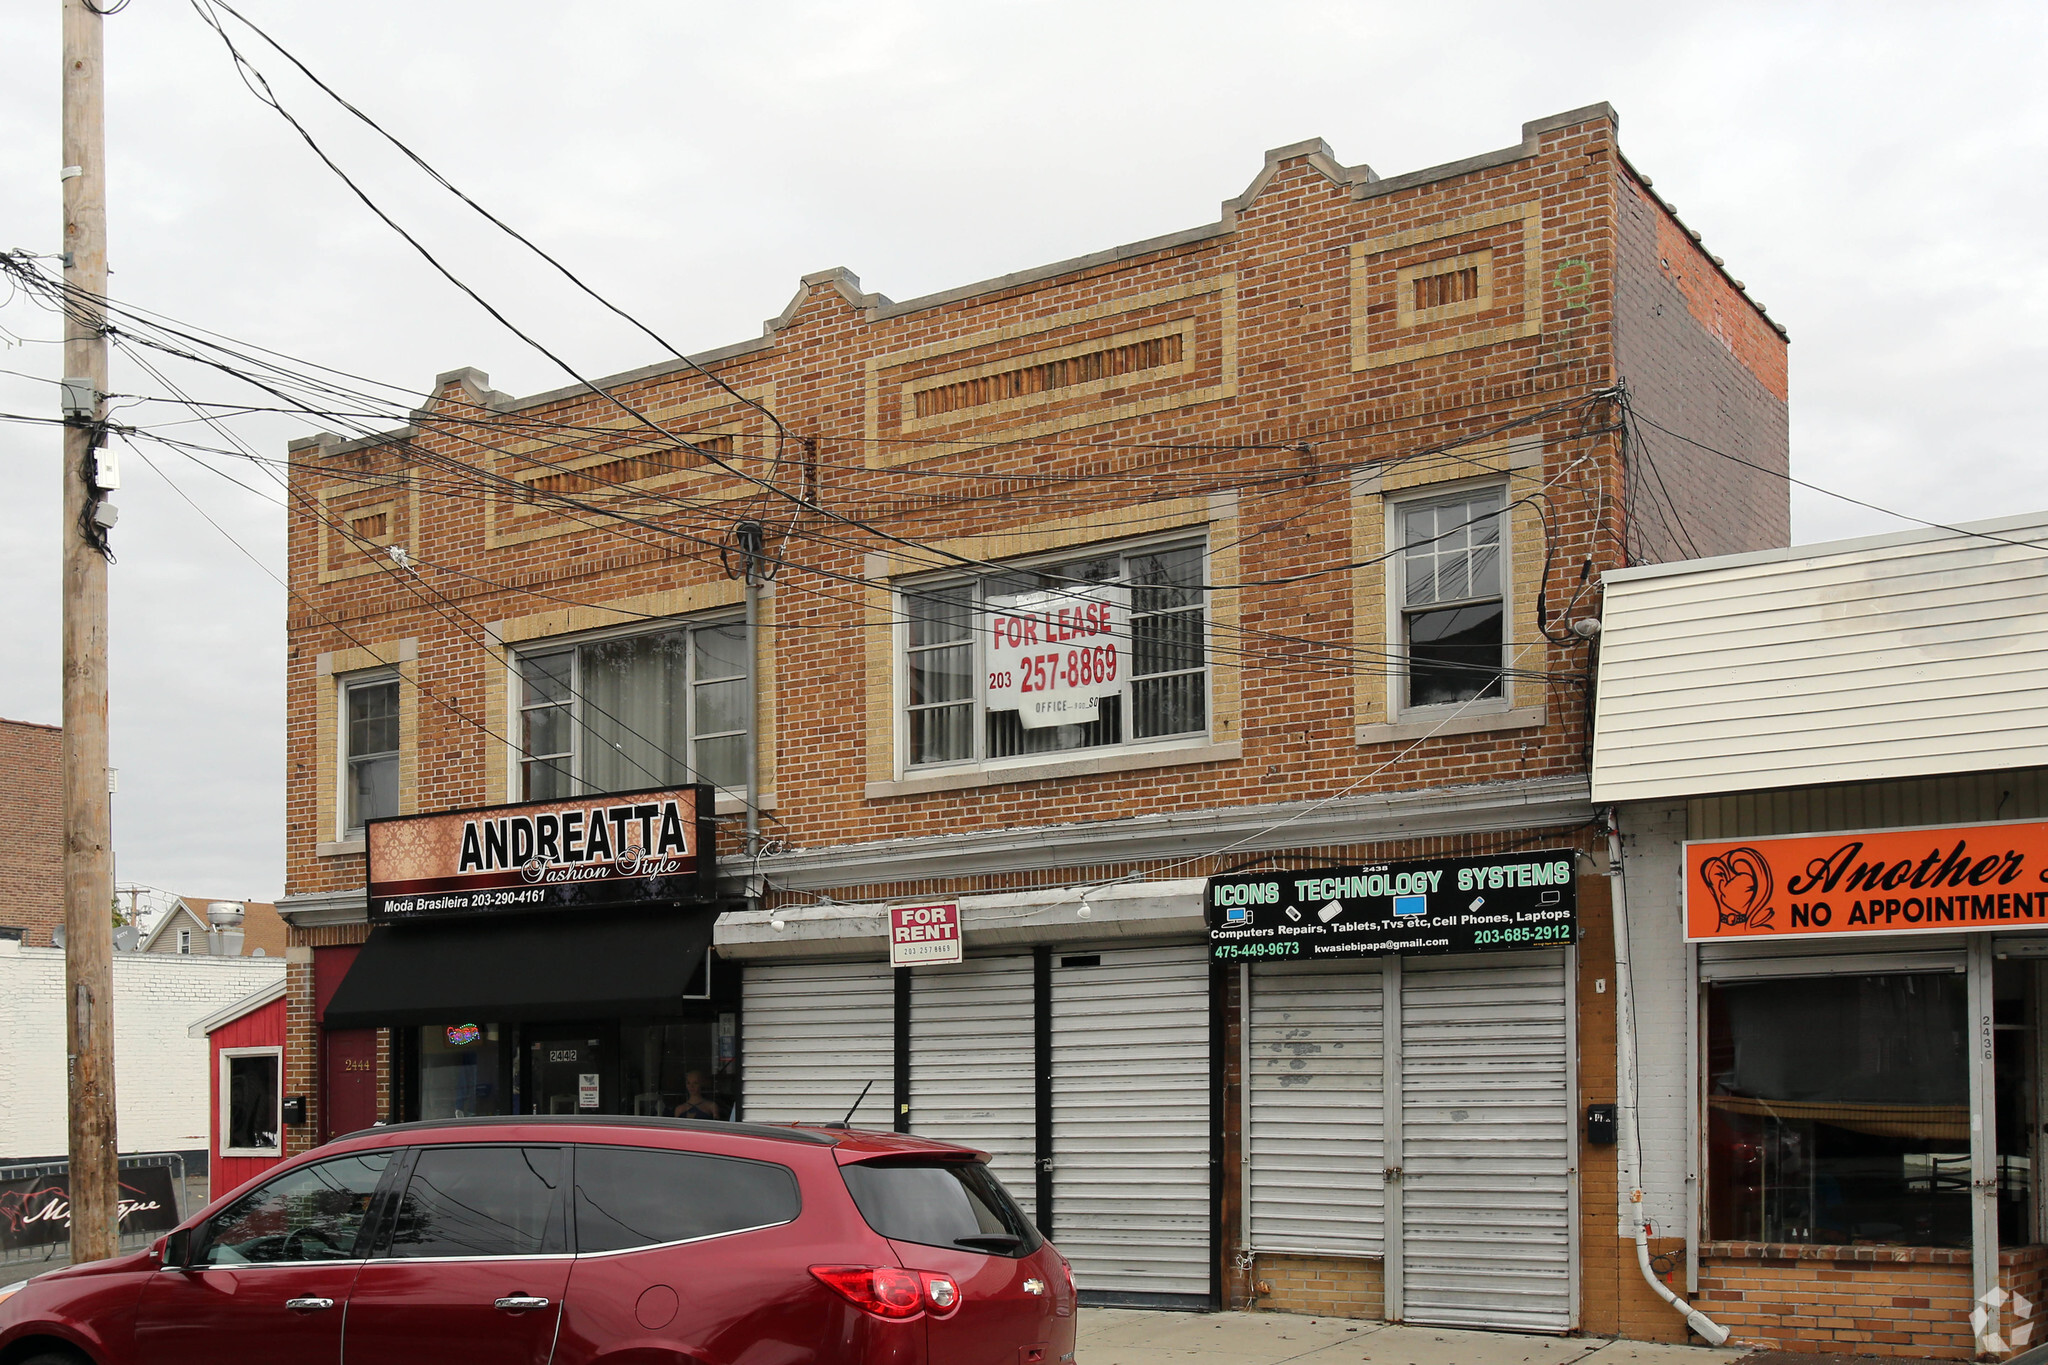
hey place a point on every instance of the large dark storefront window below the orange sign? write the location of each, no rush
(1838, 1110)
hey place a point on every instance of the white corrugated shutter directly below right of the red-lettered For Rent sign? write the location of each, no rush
(972, 1063)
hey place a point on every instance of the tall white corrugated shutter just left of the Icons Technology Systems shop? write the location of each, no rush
(1132, 1092)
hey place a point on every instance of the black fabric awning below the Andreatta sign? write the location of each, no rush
(570, 967)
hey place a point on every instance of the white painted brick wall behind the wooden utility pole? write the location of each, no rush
(161, 1073)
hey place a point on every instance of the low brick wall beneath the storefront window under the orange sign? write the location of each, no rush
(1842, 1301)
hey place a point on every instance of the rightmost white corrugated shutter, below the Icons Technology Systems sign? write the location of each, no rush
(1486, 1133)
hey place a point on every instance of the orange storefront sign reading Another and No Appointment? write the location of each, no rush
(1889, 881)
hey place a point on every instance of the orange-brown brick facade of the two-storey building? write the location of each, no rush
(1287, 373)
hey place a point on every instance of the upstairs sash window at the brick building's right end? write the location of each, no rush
(1451, 597)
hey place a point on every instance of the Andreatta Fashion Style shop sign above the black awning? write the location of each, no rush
(630, 848)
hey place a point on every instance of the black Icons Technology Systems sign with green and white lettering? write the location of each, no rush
(1504, 901)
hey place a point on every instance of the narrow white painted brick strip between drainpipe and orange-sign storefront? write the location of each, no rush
(1654, 836)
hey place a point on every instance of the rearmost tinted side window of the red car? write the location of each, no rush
(630, 1196)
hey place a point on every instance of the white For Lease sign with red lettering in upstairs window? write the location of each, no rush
(1054, 656)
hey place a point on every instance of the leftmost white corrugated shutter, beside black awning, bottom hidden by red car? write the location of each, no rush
(812, 1037)
